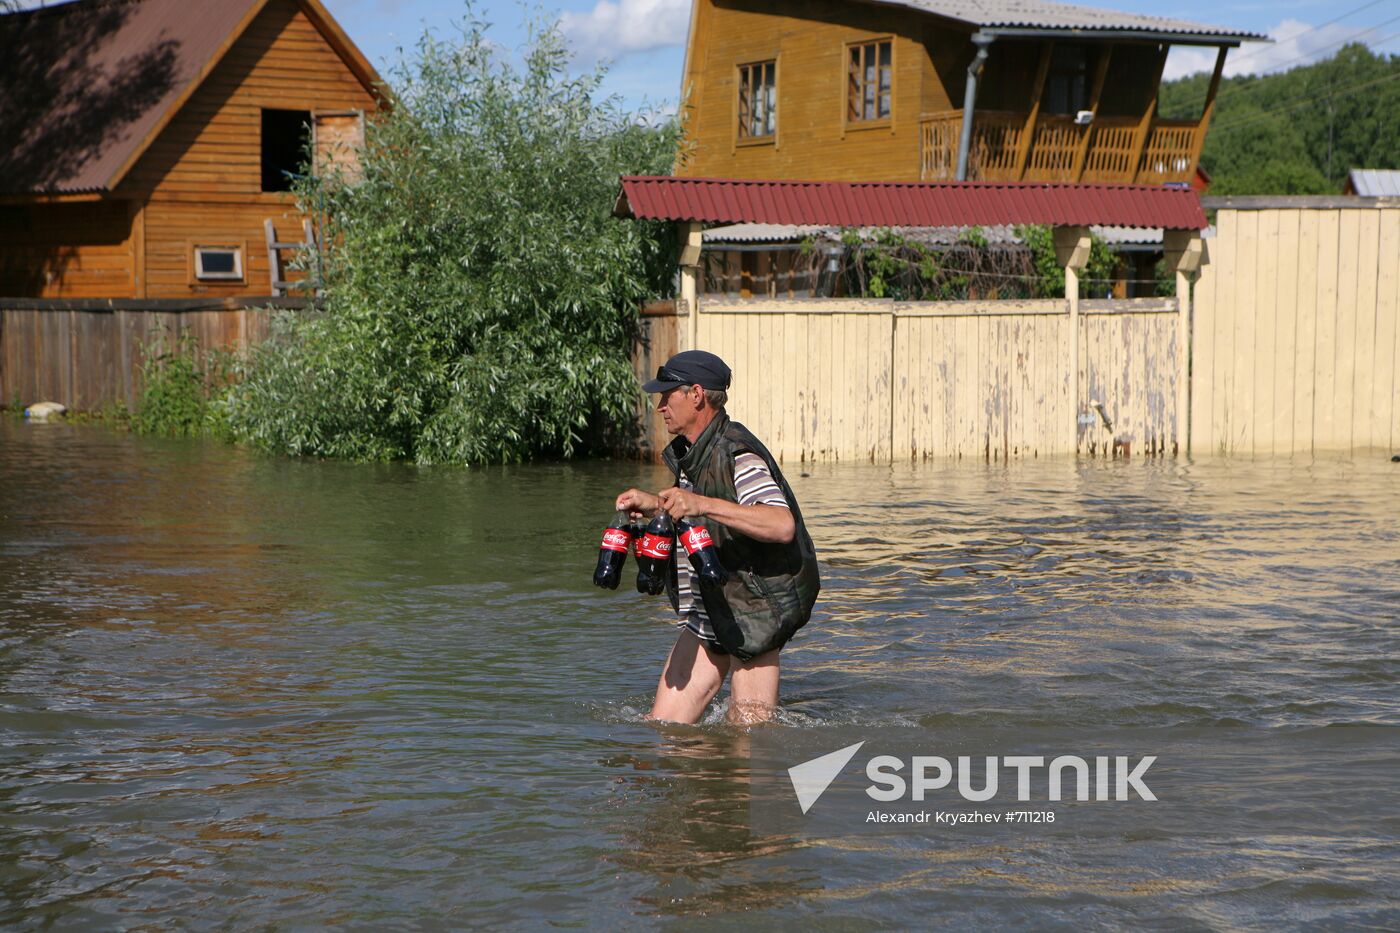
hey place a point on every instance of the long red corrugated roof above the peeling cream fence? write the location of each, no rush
(734, 201)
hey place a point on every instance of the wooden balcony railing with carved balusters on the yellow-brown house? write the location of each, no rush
(1007, 148)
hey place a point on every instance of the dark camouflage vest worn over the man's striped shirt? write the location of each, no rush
(772, 588)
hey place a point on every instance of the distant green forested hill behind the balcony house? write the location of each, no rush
(1297, 132)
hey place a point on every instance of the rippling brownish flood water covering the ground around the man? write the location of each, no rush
(243, 691)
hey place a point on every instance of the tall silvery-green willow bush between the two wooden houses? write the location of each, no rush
(481, 300)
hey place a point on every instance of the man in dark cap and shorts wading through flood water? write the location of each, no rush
(726, 477)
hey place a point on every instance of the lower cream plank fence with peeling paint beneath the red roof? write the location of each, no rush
(885, 380)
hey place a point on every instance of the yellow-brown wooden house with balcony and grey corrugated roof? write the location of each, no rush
(937, 90)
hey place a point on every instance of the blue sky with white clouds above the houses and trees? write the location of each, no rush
(645, 40)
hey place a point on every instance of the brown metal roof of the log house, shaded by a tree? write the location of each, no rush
(85, 86)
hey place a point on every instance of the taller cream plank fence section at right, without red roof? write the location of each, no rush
(1296, 337)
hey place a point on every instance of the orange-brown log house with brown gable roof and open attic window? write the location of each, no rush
(146, 146)
